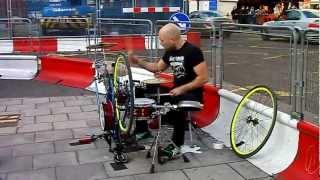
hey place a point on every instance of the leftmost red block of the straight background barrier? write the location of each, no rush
(43, 44)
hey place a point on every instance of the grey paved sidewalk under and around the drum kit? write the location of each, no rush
(38, 149)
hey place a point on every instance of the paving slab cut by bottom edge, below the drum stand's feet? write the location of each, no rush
(177, 175)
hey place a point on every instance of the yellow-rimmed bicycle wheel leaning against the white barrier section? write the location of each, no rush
(253, 121)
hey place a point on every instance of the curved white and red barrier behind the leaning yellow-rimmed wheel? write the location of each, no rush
(292, 150)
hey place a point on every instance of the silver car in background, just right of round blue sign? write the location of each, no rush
(202, 21)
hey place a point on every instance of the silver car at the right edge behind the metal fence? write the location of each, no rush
(300, 19)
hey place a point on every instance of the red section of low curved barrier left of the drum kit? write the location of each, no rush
(67, 71)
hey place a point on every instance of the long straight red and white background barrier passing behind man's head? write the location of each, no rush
(55, 45)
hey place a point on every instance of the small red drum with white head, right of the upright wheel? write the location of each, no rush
(143, 108)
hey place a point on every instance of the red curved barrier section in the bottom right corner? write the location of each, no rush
(306, 163)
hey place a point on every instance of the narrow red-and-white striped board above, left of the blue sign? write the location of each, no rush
(137, 10)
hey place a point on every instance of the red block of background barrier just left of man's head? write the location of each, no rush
(134, 42)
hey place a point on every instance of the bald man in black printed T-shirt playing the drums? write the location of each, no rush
(190, 74)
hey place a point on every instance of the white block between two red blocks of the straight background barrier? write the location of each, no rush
(74, 44)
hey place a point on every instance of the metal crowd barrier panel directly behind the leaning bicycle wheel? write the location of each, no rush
(255, 54)
